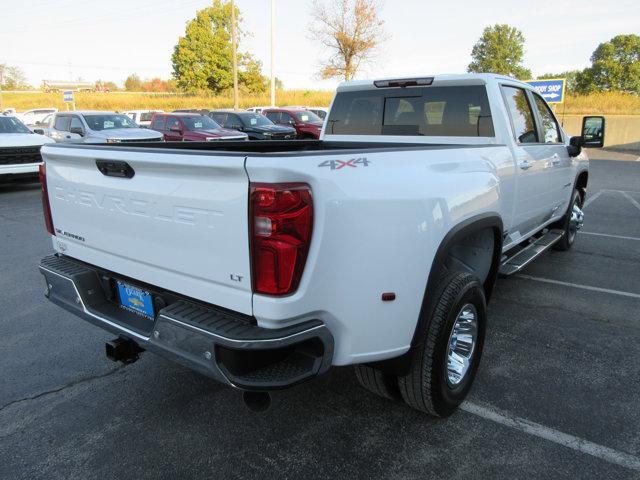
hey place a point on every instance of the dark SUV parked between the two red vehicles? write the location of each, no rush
(257, 126)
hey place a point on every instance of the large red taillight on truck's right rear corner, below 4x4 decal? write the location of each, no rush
(281, 216)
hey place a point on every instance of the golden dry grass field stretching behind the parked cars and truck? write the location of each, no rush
(612, 103)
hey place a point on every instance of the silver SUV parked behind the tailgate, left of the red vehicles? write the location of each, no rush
(98, 127)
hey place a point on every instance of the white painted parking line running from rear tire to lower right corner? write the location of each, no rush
(576, 443)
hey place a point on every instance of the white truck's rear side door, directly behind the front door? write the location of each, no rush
(533, 204)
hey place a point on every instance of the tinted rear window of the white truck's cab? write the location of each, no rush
(448, 111)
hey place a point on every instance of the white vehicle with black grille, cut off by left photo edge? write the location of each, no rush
(19, 148)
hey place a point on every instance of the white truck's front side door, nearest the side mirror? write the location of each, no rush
(553, 149)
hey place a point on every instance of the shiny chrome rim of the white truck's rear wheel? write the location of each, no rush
(462, 345)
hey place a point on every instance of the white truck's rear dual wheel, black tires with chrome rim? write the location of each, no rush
(445, 362)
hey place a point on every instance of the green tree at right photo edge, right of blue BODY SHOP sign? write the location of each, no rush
(615, 65)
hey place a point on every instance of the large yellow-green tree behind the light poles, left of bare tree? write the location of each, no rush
(202, 58)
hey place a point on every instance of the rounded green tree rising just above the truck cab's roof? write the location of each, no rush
(500, 49)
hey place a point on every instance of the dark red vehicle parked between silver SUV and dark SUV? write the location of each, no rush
(192, 127)
